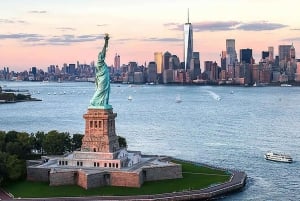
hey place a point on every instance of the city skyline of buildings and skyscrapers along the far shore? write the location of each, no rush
(166, 68)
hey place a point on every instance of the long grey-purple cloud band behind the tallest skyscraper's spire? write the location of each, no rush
(227, 26)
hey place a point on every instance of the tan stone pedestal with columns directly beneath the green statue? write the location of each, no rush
(100, 134)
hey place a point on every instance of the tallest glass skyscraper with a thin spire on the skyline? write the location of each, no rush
(188, 43)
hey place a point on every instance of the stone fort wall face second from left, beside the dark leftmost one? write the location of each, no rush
(61, 177)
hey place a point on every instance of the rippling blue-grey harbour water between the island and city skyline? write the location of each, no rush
(230, 127)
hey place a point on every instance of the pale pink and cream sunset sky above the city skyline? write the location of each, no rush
(41, 33)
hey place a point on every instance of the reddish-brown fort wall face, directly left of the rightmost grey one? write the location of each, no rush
(128, 179)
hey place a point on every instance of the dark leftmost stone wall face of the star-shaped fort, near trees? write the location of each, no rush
(38, 174)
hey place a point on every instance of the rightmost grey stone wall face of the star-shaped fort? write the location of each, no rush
(163, 172)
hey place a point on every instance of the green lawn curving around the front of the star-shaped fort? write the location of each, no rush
(194, 177)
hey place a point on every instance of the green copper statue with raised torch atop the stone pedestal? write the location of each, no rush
(102, 81)
